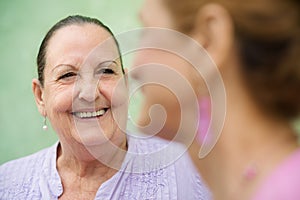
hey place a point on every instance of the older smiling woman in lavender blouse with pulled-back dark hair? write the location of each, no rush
(82, 90)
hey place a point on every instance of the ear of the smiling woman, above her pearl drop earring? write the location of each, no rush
(38, 95)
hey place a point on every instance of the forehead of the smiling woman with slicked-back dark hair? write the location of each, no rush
(76, 42)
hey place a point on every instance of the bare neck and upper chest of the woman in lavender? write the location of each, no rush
(82, 173)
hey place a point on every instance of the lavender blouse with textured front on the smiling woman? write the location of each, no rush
(153, 169)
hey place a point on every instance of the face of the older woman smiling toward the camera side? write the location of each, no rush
(84, 94)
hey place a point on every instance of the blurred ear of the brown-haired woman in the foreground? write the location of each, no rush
(214, 30)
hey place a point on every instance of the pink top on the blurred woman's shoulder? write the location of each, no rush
(284, 182)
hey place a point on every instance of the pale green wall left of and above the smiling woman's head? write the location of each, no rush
(23, 25)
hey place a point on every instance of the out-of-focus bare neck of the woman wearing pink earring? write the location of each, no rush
(250, 146)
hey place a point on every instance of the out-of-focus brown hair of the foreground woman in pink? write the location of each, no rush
(268, 36)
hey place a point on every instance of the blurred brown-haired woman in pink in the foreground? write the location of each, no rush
(256, 47)
